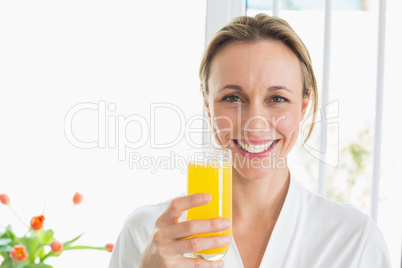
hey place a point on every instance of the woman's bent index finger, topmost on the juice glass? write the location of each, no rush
(178, 205)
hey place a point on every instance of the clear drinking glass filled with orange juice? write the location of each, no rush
(210, 171)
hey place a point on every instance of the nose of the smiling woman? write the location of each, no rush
(255, 120)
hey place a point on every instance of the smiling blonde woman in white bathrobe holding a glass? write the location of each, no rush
(256, 73)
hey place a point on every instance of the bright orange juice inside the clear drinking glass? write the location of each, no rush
(215, 179)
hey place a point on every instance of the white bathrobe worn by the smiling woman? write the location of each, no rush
(311, 231)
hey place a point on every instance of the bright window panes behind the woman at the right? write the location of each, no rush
(350, 109)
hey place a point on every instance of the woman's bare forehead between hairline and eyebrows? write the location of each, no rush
(264, 63)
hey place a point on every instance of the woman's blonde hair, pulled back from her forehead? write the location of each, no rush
(262, 27)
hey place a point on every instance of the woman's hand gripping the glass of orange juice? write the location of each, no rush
(167, 243)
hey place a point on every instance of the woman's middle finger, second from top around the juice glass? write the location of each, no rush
(192, 227)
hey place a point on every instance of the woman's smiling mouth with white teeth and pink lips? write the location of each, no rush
(254, 149)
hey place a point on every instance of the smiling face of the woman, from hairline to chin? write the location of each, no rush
(255, 104)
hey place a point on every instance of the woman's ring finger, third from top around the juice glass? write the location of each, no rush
(196, 244)
